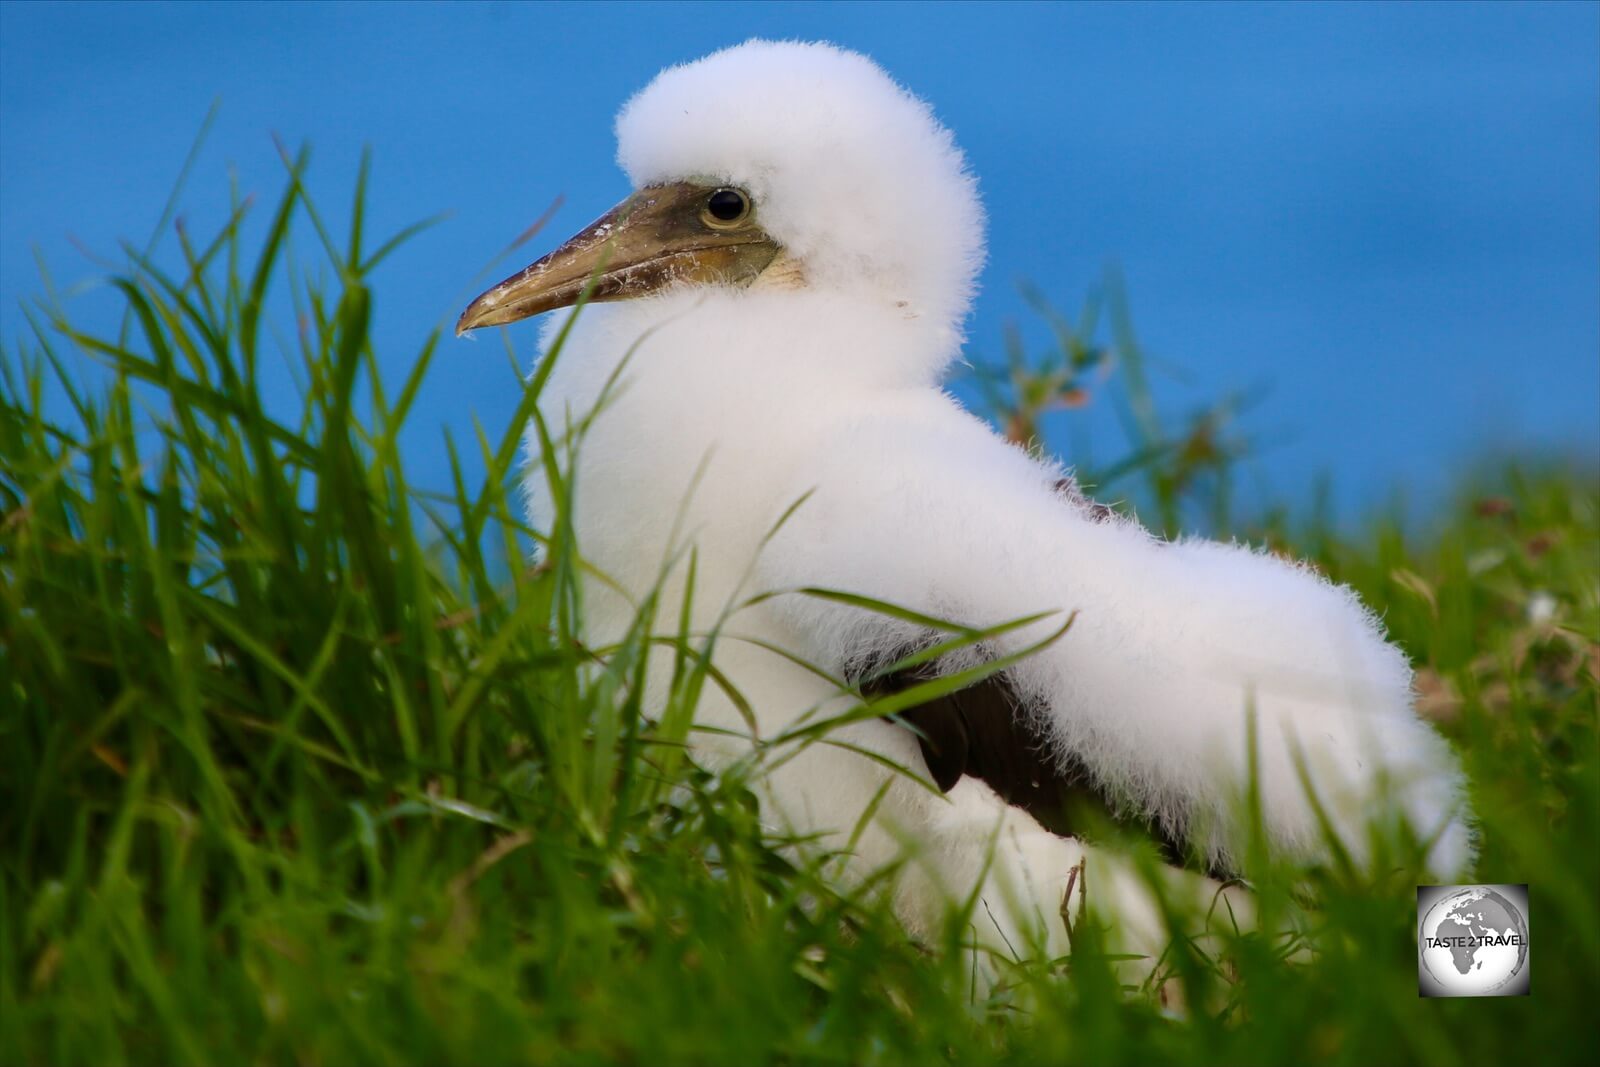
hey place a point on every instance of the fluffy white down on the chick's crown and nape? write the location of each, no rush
(852, 174)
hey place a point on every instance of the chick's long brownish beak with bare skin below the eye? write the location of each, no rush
(654, 239)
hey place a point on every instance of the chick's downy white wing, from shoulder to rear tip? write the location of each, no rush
(1177, 652)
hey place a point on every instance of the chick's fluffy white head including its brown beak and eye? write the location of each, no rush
(794, 161)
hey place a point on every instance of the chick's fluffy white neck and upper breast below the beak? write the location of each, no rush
(711, 404)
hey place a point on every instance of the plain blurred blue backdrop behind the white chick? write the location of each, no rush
(1386, 217)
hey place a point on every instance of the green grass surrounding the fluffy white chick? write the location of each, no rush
(290, 773)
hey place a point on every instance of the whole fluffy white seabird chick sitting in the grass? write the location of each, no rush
(748, 385)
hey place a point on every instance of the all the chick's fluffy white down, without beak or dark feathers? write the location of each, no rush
(822, 383)
